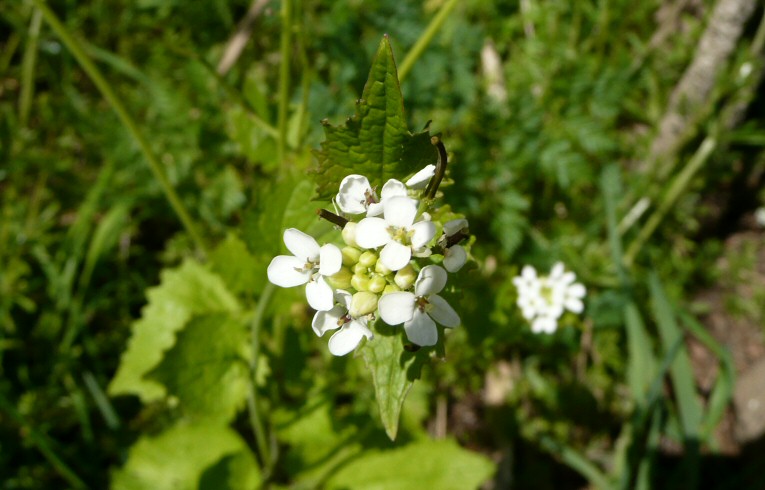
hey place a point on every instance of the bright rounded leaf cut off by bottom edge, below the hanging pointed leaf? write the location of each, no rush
(427, 464)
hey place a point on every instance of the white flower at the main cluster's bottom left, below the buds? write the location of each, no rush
(351, 330)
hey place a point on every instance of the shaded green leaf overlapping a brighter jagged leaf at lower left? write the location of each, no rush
(207, 368)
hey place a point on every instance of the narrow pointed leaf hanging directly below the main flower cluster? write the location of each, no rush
(394, 371)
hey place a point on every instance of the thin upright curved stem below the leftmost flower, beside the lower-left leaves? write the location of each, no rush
(252, 401)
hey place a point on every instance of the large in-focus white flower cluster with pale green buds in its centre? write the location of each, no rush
(381, 272)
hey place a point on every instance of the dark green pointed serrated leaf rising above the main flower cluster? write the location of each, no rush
(375, 142)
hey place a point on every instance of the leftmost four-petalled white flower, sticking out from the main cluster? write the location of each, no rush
(308, 265)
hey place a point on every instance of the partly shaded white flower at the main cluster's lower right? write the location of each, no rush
(417, 311)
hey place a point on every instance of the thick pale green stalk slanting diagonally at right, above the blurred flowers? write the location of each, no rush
(679, 185)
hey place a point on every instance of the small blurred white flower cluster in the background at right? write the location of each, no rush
(543, 299)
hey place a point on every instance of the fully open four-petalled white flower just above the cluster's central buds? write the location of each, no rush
(397, 233)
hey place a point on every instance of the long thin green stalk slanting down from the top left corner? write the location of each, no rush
(108, 93)
